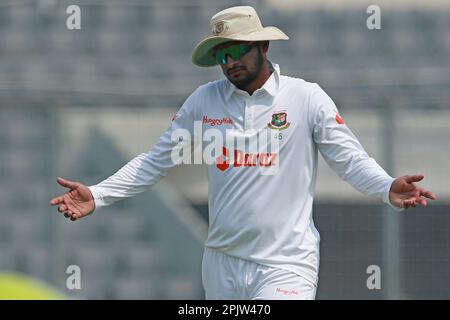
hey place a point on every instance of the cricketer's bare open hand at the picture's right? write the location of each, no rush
(405, 193)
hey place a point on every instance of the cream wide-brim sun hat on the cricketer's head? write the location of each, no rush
(233, 24)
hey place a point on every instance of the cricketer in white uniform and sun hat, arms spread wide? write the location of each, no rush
(261, 243)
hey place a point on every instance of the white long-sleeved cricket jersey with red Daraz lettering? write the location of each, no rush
(262, 218)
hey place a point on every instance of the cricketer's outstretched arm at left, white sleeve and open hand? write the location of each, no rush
(136, 176)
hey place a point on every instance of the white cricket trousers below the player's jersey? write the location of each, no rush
(229, 278)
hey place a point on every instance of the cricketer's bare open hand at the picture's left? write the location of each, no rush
(75, 204)
